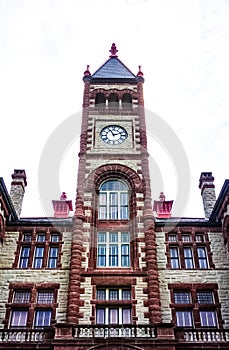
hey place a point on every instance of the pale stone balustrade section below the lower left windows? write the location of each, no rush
(26, 335)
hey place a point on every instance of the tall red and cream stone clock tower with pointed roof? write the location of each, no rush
(113, 267)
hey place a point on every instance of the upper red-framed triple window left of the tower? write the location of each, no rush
(38, 250)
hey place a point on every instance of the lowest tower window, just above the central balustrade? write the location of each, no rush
(113, 314)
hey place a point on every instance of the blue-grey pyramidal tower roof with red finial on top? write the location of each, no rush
(113, 70)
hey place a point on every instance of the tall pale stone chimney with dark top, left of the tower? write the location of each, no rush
(18, 189)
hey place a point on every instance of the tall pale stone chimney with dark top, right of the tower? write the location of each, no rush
(207, 192)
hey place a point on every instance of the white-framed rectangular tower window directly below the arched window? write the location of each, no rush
(113, 249)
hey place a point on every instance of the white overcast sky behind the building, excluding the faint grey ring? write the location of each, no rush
(182, 45)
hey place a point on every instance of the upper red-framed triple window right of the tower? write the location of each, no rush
(188, 250)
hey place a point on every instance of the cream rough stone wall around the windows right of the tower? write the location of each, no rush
(219, 275)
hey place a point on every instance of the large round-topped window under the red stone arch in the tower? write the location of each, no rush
(113, 200)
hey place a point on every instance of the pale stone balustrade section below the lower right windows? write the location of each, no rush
(202, 335)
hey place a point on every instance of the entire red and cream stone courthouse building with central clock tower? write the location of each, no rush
(120, 272)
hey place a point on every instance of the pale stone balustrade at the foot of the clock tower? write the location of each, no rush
(107, 331)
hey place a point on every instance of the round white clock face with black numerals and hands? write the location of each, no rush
(113, 134)
